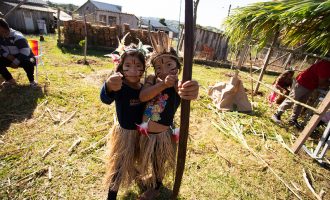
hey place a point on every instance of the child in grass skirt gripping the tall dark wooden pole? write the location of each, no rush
(163, 93)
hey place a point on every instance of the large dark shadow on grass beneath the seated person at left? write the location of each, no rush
(17, 104)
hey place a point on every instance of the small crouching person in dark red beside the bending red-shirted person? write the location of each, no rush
(282, 83)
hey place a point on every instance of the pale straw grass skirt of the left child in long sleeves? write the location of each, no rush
(121, 169)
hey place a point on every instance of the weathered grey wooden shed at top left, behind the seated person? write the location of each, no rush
(34, 16)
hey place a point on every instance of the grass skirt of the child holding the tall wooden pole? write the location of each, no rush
(157, 157)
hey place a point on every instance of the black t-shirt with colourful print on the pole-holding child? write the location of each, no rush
(161, 109)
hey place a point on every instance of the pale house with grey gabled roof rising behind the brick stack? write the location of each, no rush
(107, 14)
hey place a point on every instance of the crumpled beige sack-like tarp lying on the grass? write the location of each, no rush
(230, 96)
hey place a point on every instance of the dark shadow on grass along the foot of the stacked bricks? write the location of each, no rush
(91, 51)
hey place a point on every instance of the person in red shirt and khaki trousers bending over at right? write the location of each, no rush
(316, 76)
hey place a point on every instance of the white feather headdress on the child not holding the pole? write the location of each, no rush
(117, 54)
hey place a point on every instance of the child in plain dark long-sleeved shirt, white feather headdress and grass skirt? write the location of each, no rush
(124, 88)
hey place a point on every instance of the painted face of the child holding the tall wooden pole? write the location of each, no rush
(165, 66)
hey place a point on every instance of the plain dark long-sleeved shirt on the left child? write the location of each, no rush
(129, 108)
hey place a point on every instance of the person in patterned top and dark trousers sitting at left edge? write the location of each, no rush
(15, 52)
